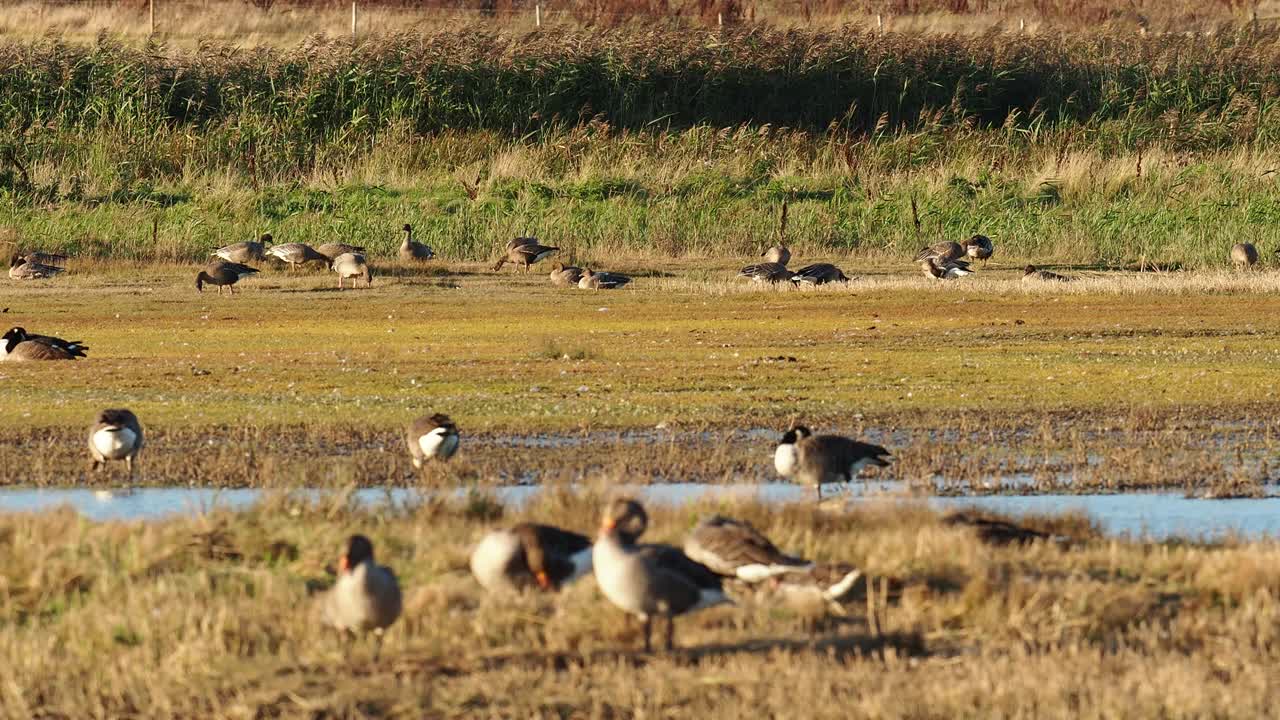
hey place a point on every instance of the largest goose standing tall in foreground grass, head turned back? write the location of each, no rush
(652, 580)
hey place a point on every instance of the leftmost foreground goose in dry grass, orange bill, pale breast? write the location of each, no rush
(367, 596)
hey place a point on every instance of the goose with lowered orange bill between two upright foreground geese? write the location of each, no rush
(531, 555)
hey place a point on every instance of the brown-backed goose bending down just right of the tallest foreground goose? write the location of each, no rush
(737, 550)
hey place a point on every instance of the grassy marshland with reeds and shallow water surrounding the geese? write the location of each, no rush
(675, 154)
